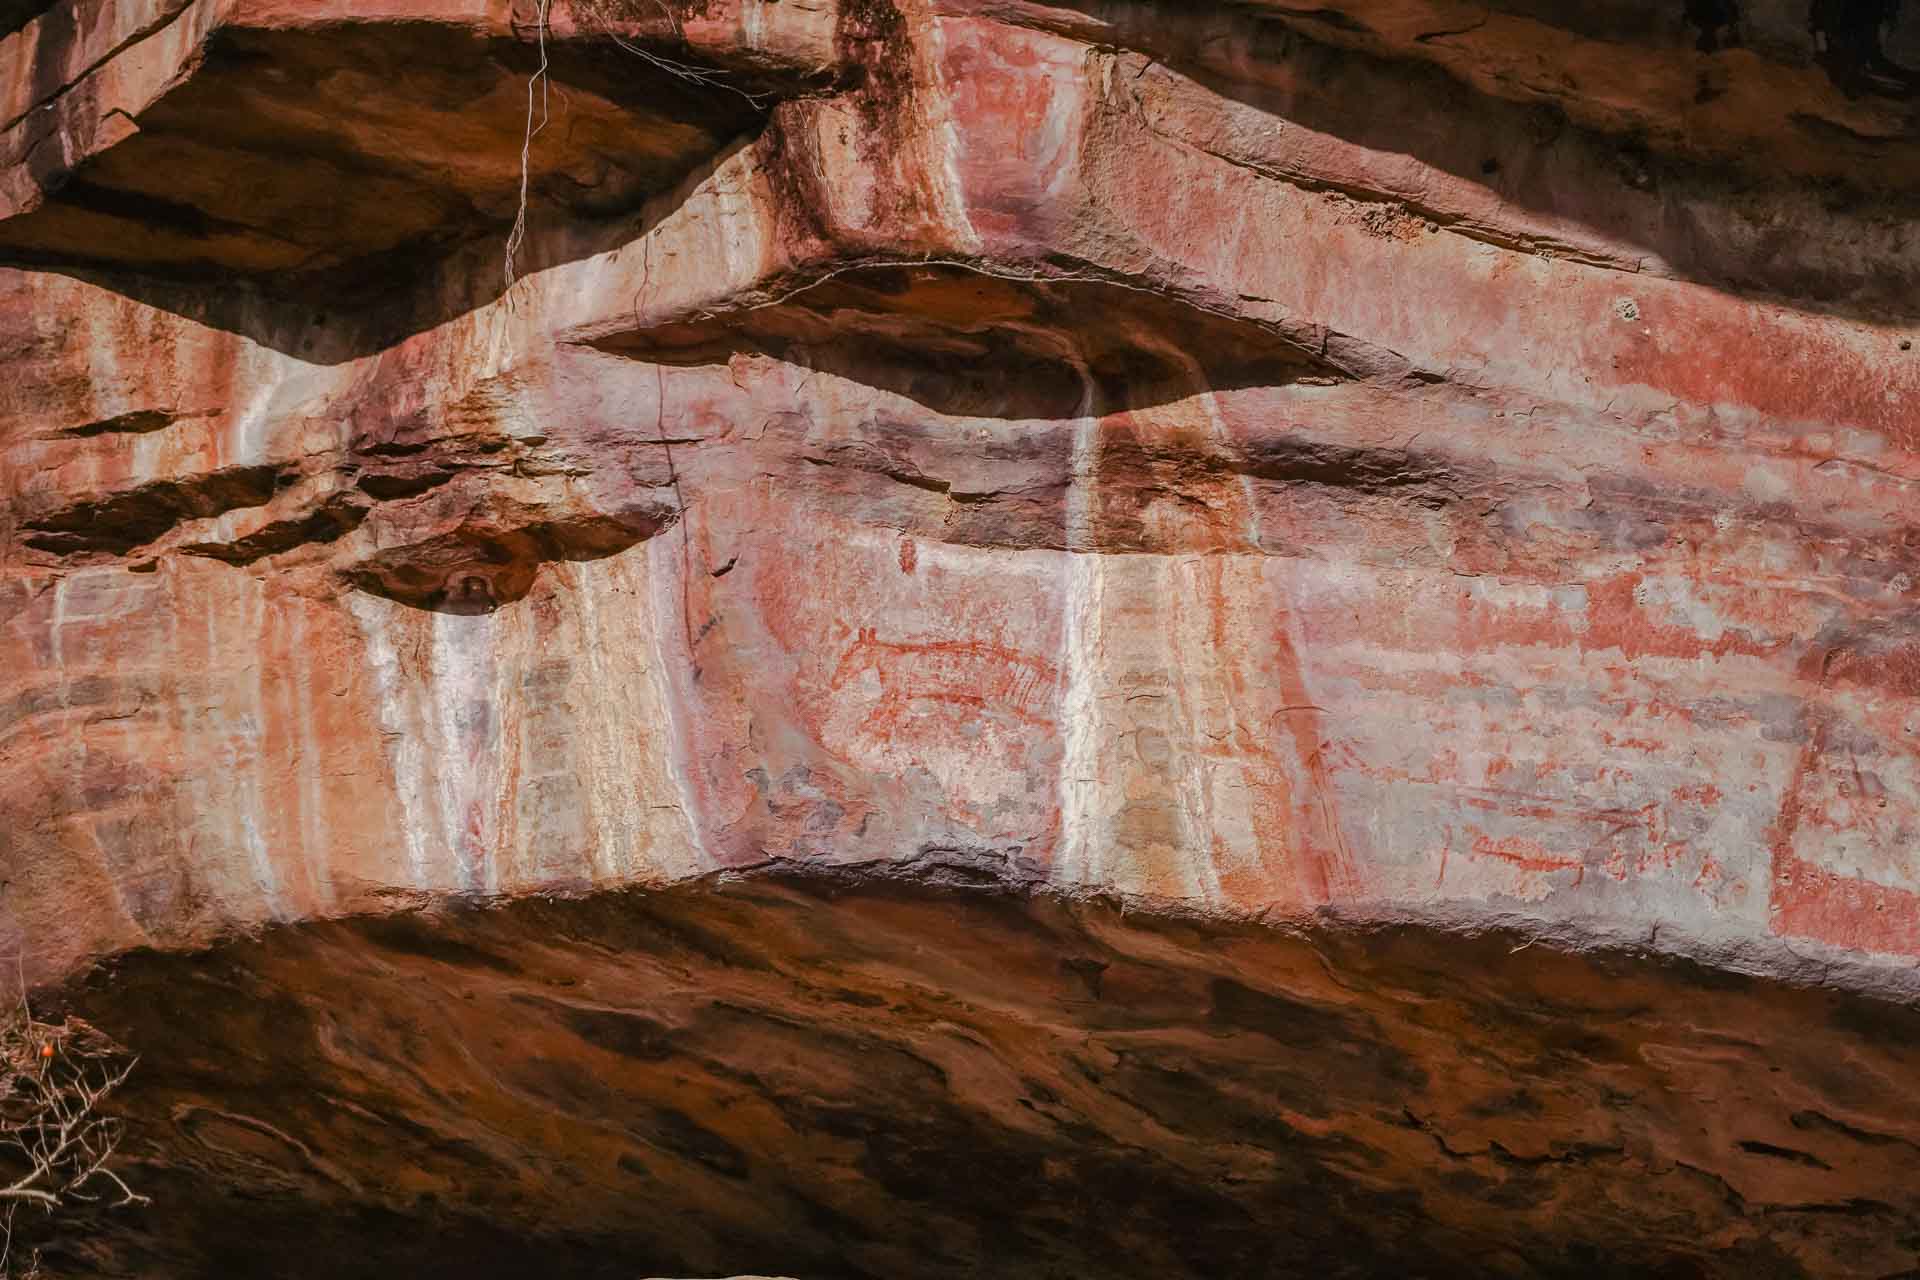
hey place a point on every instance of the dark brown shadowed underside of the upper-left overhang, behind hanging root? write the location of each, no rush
(335, 168)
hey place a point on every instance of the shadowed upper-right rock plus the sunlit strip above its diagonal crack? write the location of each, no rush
(1424, 112)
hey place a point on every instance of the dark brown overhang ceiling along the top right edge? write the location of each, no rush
(1762, 87)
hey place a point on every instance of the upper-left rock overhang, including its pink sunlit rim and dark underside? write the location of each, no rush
(335, 156)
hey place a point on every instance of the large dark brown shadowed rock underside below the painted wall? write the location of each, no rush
(855, 1076)
